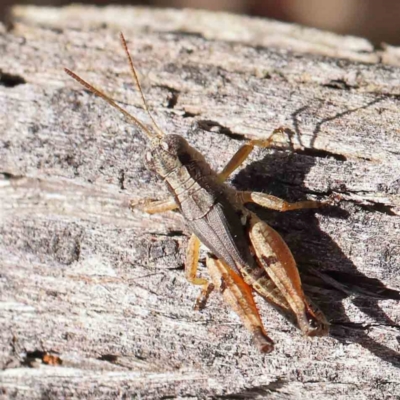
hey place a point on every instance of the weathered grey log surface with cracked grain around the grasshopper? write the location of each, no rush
(93, 299)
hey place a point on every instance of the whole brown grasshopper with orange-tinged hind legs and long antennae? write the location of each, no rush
(247, 254)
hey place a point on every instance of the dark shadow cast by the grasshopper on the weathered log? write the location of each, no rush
(282, 174)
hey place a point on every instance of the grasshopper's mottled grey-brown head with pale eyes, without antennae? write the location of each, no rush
(169, 154)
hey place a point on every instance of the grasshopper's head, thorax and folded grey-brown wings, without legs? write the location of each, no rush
(205, 203)
